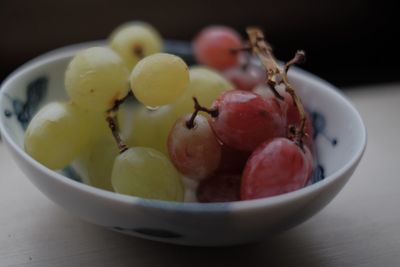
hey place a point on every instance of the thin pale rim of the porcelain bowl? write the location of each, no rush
(243, 205)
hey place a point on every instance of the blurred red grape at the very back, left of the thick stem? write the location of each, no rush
(213, 47)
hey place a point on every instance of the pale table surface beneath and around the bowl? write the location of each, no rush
(360, 227)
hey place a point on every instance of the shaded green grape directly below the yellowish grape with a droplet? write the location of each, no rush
(150, 128)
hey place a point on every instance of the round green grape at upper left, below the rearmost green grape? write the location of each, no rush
(95, 78)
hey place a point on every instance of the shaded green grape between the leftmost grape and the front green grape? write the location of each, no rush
(100, 162)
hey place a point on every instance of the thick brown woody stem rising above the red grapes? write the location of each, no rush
(277, 75)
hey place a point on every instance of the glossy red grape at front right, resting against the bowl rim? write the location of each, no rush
(276, 167)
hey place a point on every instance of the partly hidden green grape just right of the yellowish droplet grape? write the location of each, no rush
(206, 85)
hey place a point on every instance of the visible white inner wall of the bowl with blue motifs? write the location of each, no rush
(339, 133)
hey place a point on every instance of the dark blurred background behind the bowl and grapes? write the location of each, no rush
(348, 43)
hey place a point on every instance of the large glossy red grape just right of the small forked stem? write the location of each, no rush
(245, 119)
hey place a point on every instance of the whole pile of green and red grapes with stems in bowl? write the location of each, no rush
(226, 130)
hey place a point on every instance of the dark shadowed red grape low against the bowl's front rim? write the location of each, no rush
(219, 188)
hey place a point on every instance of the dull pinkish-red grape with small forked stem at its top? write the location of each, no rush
(195, 152)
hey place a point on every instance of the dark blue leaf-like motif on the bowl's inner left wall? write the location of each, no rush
(24, 110)
